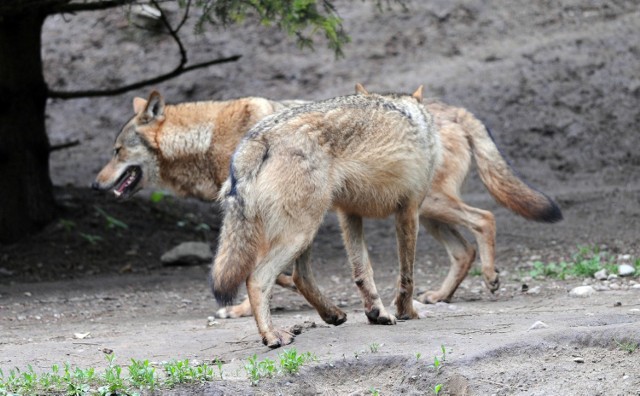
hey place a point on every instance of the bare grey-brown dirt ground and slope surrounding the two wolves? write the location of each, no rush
(558, 84)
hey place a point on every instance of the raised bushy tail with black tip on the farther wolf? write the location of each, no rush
(501, 181)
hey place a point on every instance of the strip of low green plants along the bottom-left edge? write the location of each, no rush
(138, 377)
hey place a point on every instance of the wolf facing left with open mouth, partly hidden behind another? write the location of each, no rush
(187, 148)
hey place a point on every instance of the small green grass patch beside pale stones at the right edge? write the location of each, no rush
(584, 264)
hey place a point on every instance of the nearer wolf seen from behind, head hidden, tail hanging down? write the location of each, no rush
(363, 156)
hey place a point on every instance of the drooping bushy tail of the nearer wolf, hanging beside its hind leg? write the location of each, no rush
(237, 250)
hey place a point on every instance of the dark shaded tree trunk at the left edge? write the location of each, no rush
(26, 195)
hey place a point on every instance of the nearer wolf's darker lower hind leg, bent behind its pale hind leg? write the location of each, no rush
(306, 285)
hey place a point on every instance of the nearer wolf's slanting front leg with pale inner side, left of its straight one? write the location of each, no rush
(353, 235)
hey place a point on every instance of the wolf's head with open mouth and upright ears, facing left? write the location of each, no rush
(134, 163)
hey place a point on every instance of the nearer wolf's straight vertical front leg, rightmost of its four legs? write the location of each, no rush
(406, 234)
